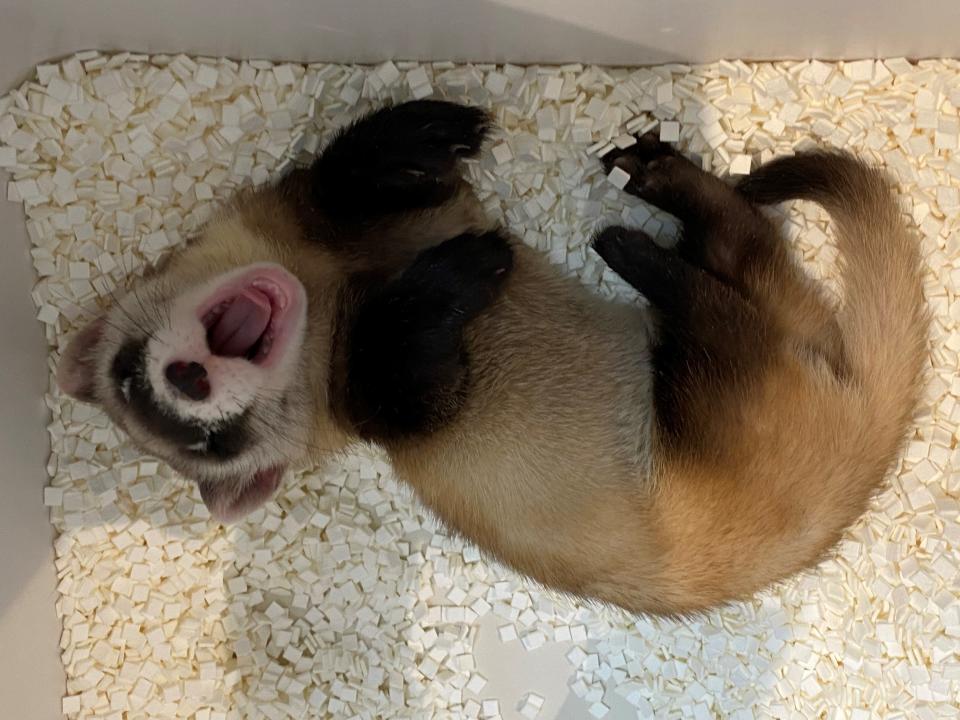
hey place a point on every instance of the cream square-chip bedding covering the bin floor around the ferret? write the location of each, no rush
(341, 599)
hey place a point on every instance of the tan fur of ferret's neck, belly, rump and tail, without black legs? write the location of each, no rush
(554, 464)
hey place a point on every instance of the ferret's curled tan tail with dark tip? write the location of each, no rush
(884, 320)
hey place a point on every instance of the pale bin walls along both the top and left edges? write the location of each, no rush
(609, 31)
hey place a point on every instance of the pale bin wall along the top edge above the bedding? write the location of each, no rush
(610, 31)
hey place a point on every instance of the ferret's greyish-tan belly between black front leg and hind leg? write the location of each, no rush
(530, 463)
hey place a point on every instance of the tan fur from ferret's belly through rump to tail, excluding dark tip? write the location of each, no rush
(547, 467)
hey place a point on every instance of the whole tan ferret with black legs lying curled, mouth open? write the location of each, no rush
(664, 457)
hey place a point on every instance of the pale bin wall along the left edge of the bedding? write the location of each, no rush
(28, 622)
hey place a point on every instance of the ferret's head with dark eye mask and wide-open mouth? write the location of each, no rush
(206, 364)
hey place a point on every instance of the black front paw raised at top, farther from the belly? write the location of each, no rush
(396, 159)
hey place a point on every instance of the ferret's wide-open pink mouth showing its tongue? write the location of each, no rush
(252, 316)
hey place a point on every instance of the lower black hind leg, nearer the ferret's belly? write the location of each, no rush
(710, 345)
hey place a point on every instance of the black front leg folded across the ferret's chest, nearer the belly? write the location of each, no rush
(408, 369)
